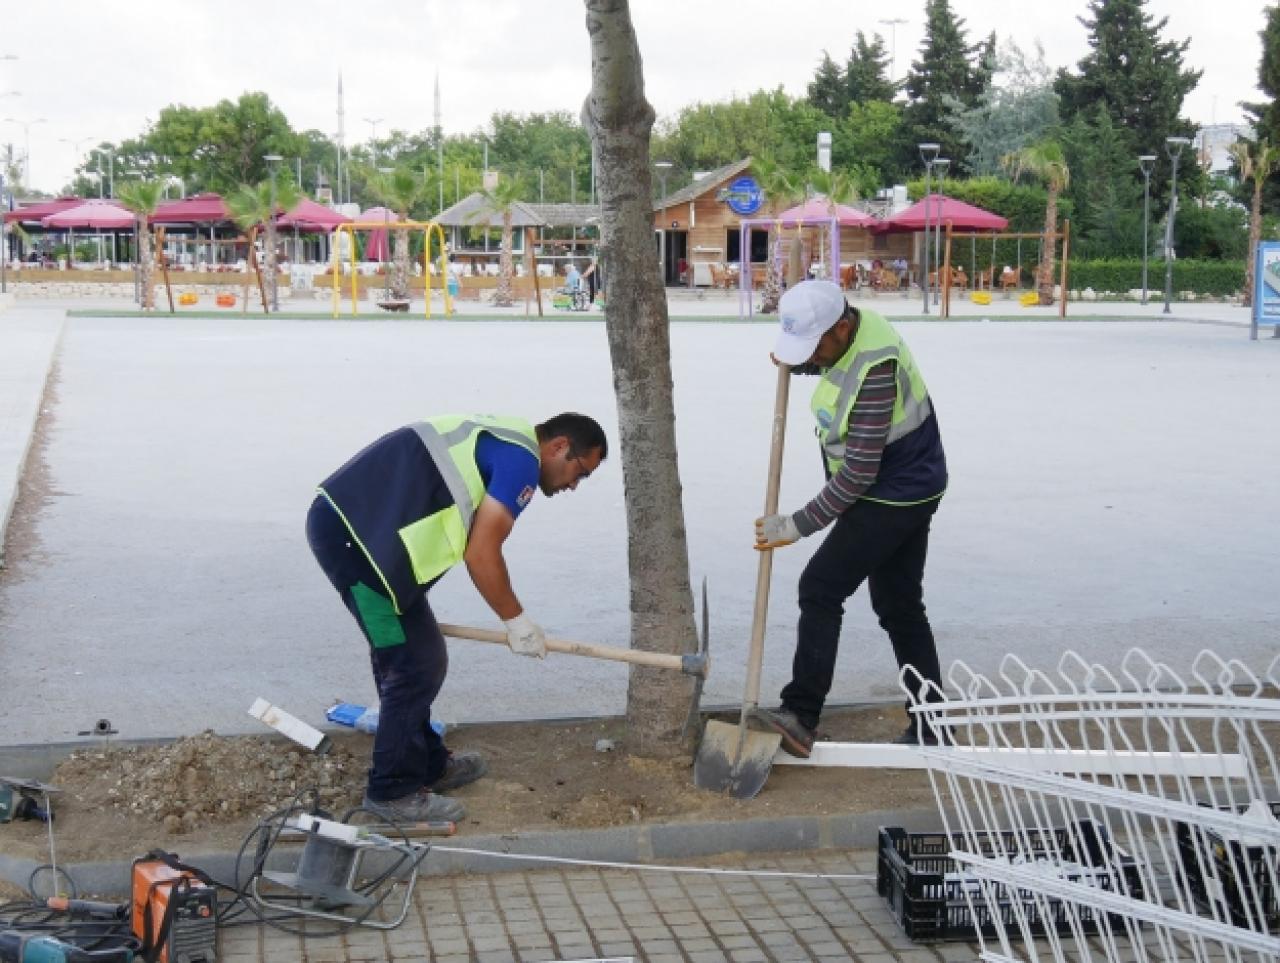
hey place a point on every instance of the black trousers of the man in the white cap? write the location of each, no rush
(885, 546)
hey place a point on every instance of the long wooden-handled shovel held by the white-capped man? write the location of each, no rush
(737, 759)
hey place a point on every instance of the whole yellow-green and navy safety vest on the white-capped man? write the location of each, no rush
(913, 468)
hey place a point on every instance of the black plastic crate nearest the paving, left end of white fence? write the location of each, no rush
(926, 888)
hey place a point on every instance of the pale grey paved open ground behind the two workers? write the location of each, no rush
(1109, 489)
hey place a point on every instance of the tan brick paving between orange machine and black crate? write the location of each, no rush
(580, 912)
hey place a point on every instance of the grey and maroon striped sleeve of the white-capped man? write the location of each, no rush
(868, 431)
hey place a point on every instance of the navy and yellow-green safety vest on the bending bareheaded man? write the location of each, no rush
(409, 500)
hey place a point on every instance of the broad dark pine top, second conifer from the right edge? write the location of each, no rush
(1136, 75)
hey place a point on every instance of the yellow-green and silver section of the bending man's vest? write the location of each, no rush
(440, 541)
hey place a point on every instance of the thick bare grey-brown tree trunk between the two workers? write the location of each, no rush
(620, 121)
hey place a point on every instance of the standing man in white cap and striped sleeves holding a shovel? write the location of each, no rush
(886, 473)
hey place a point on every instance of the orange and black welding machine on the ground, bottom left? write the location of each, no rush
(175, 911)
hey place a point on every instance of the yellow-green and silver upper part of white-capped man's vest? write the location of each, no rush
(834, 399)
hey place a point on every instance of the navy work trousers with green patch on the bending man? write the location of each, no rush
(408, 654)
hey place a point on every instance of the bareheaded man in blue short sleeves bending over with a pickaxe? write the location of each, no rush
(388, 524)
